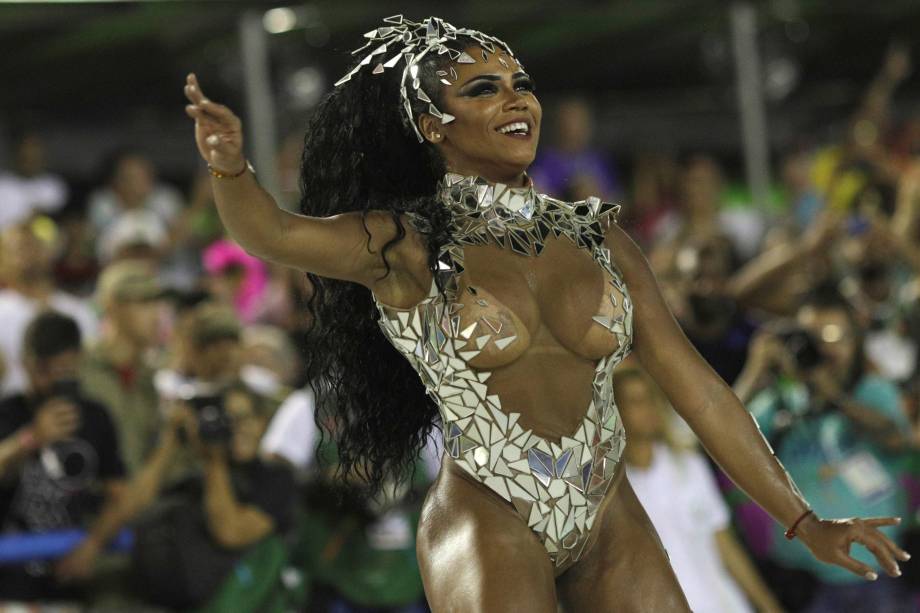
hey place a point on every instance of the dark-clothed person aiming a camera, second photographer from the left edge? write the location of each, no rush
(191, 537)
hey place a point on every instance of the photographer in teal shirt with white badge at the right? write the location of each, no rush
(837, 428)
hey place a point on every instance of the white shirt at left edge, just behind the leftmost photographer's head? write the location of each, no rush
(16, 312)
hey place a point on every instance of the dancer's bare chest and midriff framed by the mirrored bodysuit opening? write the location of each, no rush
(548, 302)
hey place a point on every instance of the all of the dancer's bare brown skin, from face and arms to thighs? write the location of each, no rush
(475, 553)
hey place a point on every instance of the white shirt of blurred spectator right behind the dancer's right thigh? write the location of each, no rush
(680, 495)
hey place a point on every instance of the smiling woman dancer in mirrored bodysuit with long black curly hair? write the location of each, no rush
(423, 235)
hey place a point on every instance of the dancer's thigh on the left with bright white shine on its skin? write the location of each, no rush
(476, 554)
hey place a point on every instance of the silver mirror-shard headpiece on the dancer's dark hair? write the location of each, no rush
(402, 39)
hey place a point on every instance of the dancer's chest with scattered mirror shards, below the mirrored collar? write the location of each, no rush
(560, 299)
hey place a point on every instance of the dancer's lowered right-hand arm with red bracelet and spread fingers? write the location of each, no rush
(726, 429)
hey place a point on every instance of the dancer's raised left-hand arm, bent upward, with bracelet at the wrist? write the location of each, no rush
(339, 247)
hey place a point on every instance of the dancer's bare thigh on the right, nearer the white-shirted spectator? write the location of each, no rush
(627, 569)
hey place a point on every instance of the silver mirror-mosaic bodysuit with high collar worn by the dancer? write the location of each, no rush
(556, 488)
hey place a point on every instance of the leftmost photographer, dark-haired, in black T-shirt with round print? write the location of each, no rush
(59, 459)
